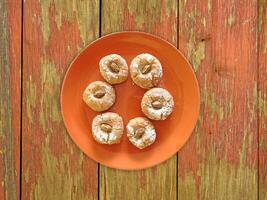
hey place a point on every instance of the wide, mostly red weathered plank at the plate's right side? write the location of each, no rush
(220, 160)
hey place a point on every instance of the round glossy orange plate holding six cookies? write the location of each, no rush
(178, 79)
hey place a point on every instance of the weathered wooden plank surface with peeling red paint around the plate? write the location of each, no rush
(225, 41)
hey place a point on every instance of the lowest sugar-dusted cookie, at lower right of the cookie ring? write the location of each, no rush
(141, 132)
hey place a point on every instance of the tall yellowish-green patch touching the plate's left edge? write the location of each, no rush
(50, 83)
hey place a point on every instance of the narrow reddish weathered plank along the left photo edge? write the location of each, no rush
(10, 101)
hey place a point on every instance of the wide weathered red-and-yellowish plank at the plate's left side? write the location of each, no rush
(54, 32)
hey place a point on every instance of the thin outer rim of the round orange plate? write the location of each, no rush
(142, 34)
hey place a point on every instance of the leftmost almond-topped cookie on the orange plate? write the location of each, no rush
(99, 96)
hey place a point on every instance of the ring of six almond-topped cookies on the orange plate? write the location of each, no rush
(157, 103)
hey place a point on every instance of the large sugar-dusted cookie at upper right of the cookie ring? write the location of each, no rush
(146, 71)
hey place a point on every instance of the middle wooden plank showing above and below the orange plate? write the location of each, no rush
(157, 17)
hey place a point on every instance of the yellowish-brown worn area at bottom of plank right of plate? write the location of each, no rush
(220, 179)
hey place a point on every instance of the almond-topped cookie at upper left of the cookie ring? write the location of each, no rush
(113, 68)
